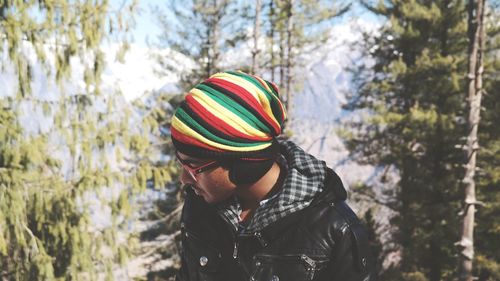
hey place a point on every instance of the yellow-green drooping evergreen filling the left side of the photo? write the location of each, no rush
(52, 177)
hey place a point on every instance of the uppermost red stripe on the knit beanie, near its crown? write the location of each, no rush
(247, 97)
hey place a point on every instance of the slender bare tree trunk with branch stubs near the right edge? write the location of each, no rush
(474, 77)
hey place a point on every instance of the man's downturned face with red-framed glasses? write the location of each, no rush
(208, 179)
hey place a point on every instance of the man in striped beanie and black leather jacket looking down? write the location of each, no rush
(257, 208)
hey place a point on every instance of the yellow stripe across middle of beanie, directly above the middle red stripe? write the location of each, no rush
(225, 114)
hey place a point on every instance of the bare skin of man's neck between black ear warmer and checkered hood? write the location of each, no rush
(250, 195)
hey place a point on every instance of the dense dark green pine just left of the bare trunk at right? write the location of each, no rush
(415, 96)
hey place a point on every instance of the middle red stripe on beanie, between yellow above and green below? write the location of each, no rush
(218, 123)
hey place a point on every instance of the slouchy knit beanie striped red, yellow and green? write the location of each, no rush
(230, 115)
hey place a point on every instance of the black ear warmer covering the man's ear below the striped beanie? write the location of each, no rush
(248, 172)
